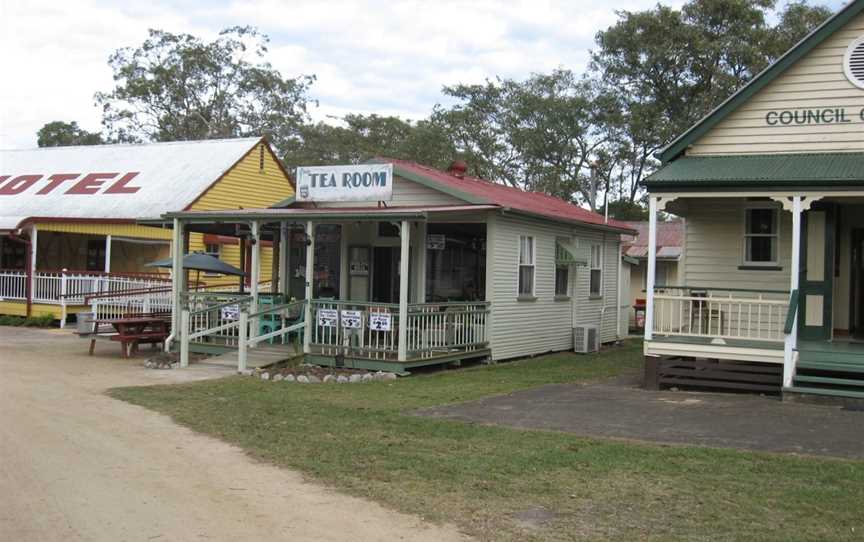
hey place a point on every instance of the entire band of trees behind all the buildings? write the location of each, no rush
(589, 138)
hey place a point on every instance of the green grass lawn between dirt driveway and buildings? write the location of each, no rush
(489, 480)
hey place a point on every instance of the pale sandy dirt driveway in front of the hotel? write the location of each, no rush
(78, 465)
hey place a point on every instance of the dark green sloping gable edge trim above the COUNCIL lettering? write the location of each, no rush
(769, 74)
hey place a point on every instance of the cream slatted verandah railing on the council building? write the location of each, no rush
(720, 313)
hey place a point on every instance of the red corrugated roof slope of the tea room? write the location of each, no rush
(508, 196)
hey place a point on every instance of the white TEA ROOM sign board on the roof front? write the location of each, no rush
(364, 182)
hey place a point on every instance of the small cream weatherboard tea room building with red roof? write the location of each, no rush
(397, 265)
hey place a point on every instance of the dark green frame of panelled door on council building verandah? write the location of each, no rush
(824, 287)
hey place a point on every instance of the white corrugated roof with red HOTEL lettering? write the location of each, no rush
(169, 177)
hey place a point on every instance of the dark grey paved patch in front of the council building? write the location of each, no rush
(622, 410)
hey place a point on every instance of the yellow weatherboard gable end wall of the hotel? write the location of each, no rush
(247, 185)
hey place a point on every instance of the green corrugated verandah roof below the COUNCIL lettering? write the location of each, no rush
(762, 170)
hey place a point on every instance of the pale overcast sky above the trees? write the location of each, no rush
(387, 57)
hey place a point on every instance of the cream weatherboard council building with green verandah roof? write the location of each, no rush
(771, 288)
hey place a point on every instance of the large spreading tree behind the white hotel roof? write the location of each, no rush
(179, 87)
